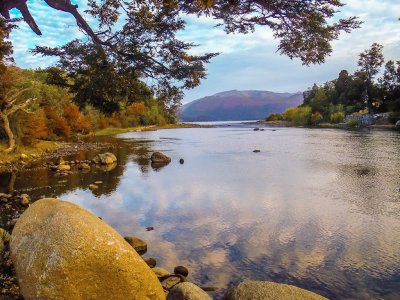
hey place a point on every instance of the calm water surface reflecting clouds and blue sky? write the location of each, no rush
(316, 208)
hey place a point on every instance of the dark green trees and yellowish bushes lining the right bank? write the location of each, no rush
(361, 93)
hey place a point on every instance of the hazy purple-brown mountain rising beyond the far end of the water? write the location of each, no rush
(238, 106)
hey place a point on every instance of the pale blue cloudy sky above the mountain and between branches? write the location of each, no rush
(246, 62)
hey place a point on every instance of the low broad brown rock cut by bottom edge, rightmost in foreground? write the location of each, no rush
(264, 290)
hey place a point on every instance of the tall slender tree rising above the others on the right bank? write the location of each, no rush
(370, 62)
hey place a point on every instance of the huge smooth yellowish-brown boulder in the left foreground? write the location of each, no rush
(60, 250)
